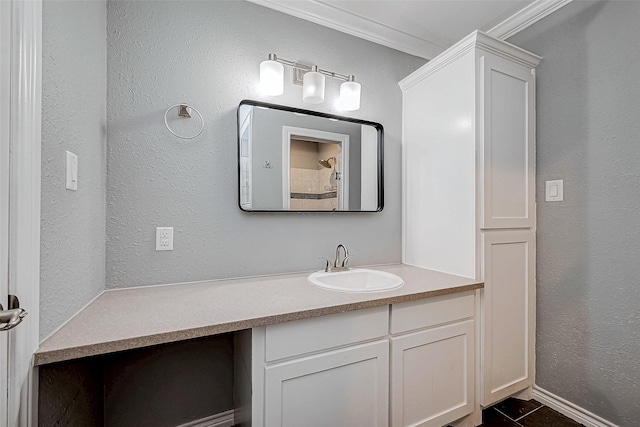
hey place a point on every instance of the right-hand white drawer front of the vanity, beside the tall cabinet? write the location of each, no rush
(425, 313)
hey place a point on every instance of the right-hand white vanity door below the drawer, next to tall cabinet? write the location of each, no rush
(432, 376)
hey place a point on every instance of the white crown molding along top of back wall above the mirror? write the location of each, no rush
(333, 17)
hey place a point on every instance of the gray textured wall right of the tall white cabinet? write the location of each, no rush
(588, 274)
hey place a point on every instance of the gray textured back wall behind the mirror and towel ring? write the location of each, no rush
(208, 54)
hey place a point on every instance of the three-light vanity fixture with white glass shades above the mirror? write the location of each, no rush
(313, 82)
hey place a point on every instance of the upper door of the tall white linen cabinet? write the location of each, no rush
(507, 132)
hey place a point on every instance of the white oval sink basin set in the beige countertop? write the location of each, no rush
(356, 280)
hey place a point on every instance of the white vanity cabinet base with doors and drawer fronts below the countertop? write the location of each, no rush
(408, 364)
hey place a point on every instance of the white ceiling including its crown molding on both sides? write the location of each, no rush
(423, 28)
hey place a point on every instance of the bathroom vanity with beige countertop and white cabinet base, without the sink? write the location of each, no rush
(399, 357)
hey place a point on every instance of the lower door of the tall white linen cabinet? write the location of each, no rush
(507, 314)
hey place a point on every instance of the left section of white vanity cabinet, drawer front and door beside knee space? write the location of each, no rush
(325, 371)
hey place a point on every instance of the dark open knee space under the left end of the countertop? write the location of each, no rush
(165, 385)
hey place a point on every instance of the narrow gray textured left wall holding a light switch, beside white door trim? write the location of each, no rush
(72, 269)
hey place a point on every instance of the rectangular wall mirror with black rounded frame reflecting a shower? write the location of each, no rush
(298, 160)
